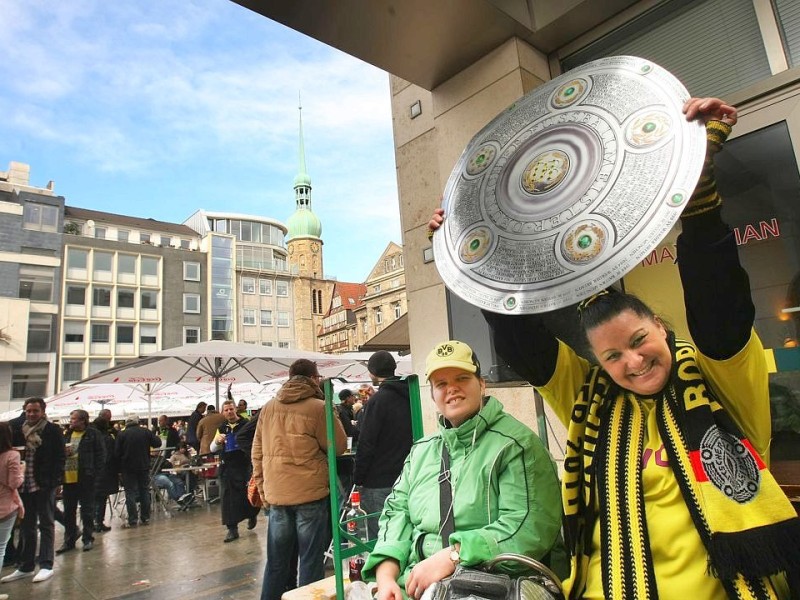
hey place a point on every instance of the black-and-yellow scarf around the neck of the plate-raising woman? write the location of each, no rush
(744, 520)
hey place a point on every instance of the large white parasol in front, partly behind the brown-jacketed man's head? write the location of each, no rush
(217, 362)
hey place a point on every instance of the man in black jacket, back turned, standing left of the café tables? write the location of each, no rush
(133, 454)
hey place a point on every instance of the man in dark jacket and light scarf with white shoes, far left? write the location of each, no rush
(44, 472)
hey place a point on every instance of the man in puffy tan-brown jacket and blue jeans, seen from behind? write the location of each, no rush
(290, 467)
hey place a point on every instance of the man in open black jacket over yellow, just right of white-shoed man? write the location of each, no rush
(86, 458)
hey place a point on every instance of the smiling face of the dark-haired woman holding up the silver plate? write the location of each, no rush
(634, 352)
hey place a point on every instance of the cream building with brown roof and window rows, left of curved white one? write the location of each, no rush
(131, 287)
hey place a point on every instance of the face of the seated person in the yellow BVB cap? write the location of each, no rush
(458, 394)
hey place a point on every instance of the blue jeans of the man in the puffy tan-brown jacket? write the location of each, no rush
(302, 526)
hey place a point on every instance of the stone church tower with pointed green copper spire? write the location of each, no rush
(312, 294)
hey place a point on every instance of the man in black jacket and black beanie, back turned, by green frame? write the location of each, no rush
(385, 438)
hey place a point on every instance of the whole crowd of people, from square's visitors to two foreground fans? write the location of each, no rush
(706, 518)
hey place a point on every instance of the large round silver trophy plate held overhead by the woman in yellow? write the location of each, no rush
(569, 188)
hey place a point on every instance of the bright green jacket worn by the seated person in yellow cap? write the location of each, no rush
(505, 489)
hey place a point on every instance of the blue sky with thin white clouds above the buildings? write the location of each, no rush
(156, 108)
